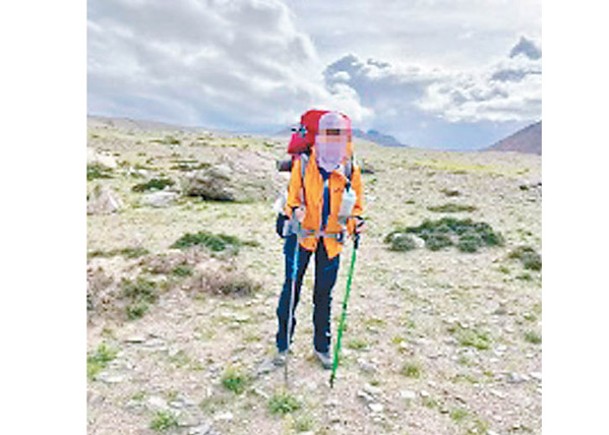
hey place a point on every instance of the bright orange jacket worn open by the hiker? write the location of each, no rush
(313, 202)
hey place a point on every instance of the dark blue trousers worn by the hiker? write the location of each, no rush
(326, 271)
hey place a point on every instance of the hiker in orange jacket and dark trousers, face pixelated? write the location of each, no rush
(324, 203)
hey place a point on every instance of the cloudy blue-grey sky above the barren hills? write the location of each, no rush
(453, 74)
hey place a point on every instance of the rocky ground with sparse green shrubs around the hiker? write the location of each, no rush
(184, 270)
